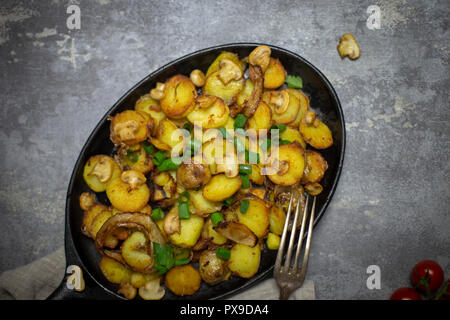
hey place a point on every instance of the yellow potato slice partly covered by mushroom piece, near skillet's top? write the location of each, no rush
(228, 93)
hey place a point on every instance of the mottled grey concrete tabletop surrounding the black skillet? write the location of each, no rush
(392, 204)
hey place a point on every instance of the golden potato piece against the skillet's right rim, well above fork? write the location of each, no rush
(316, 134)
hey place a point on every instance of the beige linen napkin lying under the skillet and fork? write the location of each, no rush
(37, 280)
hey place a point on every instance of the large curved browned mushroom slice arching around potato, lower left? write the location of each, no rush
(136, 221)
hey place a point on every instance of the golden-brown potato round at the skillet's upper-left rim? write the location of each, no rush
(130, 127)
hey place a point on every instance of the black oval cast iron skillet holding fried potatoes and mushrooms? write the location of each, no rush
(81, 251)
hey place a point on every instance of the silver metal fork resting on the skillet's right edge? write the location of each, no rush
(289, 277)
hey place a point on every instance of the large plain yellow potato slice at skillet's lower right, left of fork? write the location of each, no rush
(244, 260)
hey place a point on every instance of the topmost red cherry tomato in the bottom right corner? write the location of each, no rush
(427, 276)
